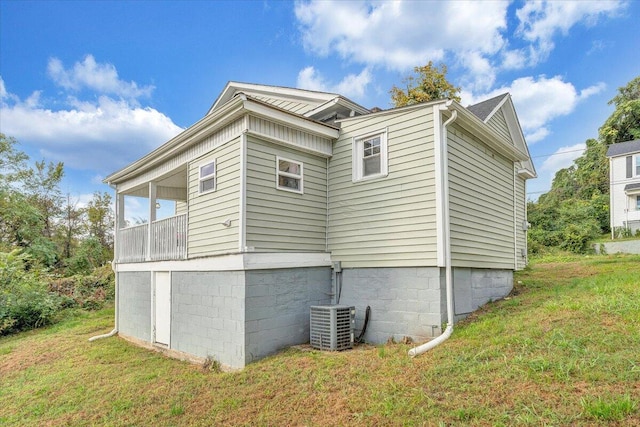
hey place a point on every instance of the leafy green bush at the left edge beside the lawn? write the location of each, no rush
(25, 301)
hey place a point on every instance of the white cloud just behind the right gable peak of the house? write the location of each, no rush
(539, 101)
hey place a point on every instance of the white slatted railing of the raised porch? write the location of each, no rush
(168, 241)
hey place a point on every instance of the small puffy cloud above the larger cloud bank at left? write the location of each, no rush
(89, 74)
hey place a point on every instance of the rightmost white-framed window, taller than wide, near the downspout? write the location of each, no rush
(370, 157)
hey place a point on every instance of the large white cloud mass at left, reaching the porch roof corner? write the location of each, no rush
(103, 134)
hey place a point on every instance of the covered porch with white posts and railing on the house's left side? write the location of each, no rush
(153, 238)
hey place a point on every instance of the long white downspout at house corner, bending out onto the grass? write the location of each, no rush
(447, 241)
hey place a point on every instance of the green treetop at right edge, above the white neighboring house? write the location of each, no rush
(624, 123)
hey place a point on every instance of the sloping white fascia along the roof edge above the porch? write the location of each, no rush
(229, 112)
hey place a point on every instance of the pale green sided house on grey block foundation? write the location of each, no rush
(288, 198)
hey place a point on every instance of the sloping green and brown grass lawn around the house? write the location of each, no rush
(563, 349)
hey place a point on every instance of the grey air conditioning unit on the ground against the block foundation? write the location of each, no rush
(332, 327)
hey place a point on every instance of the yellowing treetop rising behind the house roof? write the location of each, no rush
(428, 84)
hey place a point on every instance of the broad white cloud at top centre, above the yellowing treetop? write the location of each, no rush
(400, 35)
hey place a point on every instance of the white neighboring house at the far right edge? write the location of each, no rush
(624, 178)
